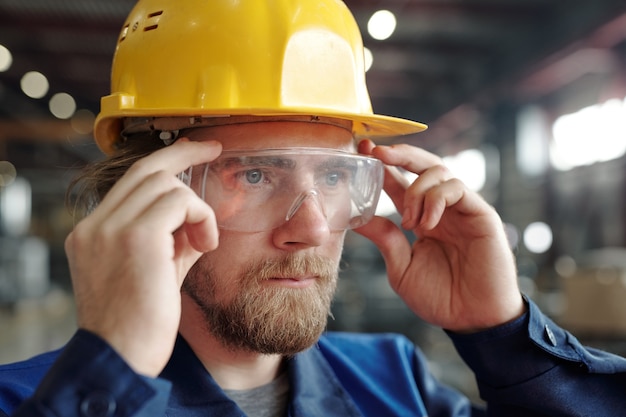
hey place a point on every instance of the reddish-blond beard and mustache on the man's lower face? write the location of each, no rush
(250, 310)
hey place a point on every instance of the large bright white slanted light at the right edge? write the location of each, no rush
(593, 134)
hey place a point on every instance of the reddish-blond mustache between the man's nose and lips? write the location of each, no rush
(293, 266)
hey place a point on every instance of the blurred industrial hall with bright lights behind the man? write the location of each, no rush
(525, 99)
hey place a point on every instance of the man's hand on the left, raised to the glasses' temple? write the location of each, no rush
(129, 257)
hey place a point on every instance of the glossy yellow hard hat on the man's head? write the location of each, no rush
(219, 58)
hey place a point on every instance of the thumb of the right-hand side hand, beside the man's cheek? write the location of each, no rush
(392, 243)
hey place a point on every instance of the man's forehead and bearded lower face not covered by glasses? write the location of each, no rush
(270, 292)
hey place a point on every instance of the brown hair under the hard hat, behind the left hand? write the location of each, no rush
(94, 181)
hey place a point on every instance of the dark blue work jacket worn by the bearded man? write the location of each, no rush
(529, 367)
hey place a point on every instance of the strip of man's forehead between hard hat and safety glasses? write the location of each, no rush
(264, 135)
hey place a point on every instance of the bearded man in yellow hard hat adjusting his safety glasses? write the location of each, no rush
(204, 275)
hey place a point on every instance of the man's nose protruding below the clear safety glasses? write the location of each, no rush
(305, 226)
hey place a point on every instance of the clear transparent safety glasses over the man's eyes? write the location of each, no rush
(258, 190)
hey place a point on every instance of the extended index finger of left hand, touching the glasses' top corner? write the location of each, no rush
(171, 160)
